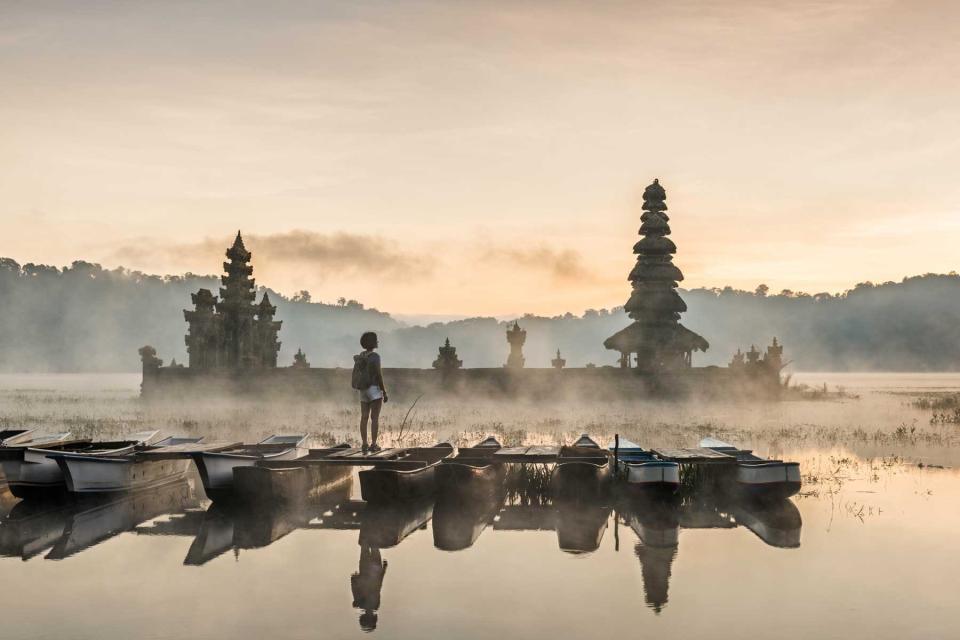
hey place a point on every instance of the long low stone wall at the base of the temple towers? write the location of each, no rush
(403, 385)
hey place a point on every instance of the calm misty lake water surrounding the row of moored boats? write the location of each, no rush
(868, 549)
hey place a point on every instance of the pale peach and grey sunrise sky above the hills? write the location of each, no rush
(483, 158)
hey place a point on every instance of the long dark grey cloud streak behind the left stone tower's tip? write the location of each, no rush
(327, 253)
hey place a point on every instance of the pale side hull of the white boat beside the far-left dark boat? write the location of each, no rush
(92, 474)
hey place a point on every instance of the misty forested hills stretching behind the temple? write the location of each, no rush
(85, 318)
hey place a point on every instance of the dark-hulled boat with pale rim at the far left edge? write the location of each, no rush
(32, 472)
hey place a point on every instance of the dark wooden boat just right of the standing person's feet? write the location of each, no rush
(409, 476)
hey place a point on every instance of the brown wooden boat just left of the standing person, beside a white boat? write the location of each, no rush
(296, 481)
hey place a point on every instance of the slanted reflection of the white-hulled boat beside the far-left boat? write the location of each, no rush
(94, 520)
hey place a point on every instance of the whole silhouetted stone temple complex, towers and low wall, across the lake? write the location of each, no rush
(233, 346)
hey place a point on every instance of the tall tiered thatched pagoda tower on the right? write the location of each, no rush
(656, 338)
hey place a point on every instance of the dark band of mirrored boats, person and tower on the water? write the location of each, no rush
(522, 500)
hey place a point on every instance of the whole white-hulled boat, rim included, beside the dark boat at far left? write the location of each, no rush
(145, 467)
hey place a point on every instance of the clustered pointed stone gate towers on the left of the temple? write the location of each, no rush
(234, 331)
